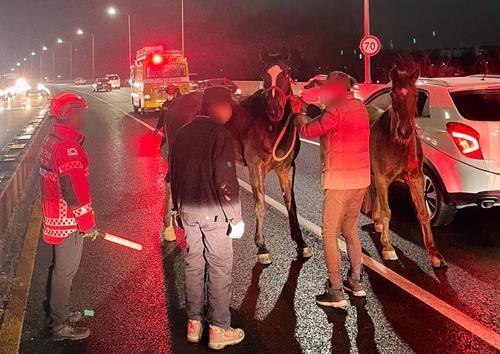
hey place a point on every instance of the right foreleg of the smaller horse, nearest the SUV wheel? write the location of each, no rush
(417, 193)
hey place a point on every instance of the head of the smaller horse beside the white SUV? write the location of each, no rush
(404, 97)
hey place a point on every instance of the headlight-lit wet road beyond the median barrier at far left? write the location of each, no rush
(15, 113)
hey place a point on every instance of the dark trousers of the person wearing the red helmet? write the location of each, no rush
(65, 263)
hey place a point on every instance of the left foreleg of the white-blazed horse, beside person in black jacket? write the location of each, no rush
(257, 176)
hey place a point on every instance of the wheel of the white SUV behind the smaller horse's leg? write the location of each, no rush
(441, 214)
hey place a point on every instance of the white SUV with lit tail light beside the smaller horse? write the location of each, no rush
(458, 122)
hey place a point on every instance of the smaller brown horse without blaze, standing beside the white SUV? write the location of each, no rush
(396, 153)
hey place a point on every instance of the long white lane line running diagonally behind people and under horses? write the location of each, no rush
(460, 318)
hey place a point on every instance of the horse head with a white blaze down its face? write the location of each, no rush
(277, 84)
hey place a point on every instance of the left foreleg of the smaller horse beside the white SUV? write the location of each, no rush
(382, 185)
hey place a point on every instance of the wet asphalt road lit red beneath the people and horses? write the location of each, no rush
(138, 296)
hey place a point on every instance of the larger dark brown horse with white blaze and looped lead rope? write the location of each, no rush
(264, 139)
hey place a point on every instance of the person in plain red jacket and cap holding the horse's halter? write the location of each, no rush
(344, 133)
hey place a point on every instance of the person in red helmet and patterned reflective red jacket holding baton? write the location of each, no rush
(68, 217)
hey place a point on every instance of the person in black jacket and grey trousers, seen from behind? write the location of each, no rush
(205, 195)
